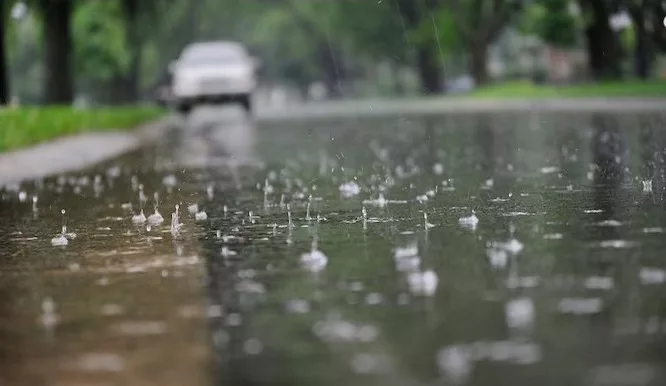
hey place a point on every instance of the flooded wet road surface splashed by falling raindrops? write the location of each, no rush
(347, 252)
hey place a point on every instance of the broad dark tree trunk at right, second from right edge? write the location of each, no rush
(603, 47)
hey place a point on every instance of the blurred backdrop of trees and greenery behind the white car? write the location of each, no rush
(118, 51)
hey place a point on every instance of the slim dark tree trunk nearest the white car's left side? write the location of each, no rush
(132, 79)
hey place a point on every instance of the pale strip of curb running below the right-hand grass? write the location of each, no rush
(434, 106)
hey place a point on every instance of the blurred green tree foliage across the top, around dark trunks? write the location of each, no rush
(129, 43)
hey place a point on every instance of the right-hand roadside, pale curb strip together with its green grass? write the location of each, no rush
(629, 96)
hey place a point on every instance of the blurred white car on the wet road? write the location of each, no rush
(213, 72)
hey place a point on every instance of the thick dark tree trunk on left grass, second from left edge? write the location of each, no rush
(58, 86)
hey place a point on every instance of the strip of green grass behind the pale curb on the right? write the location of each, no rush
(650, 89)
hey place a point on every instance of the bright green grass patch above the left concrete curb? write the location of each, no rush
(25, 126)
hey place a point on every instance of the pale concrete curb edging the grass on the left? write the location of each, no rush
(76, 152)
